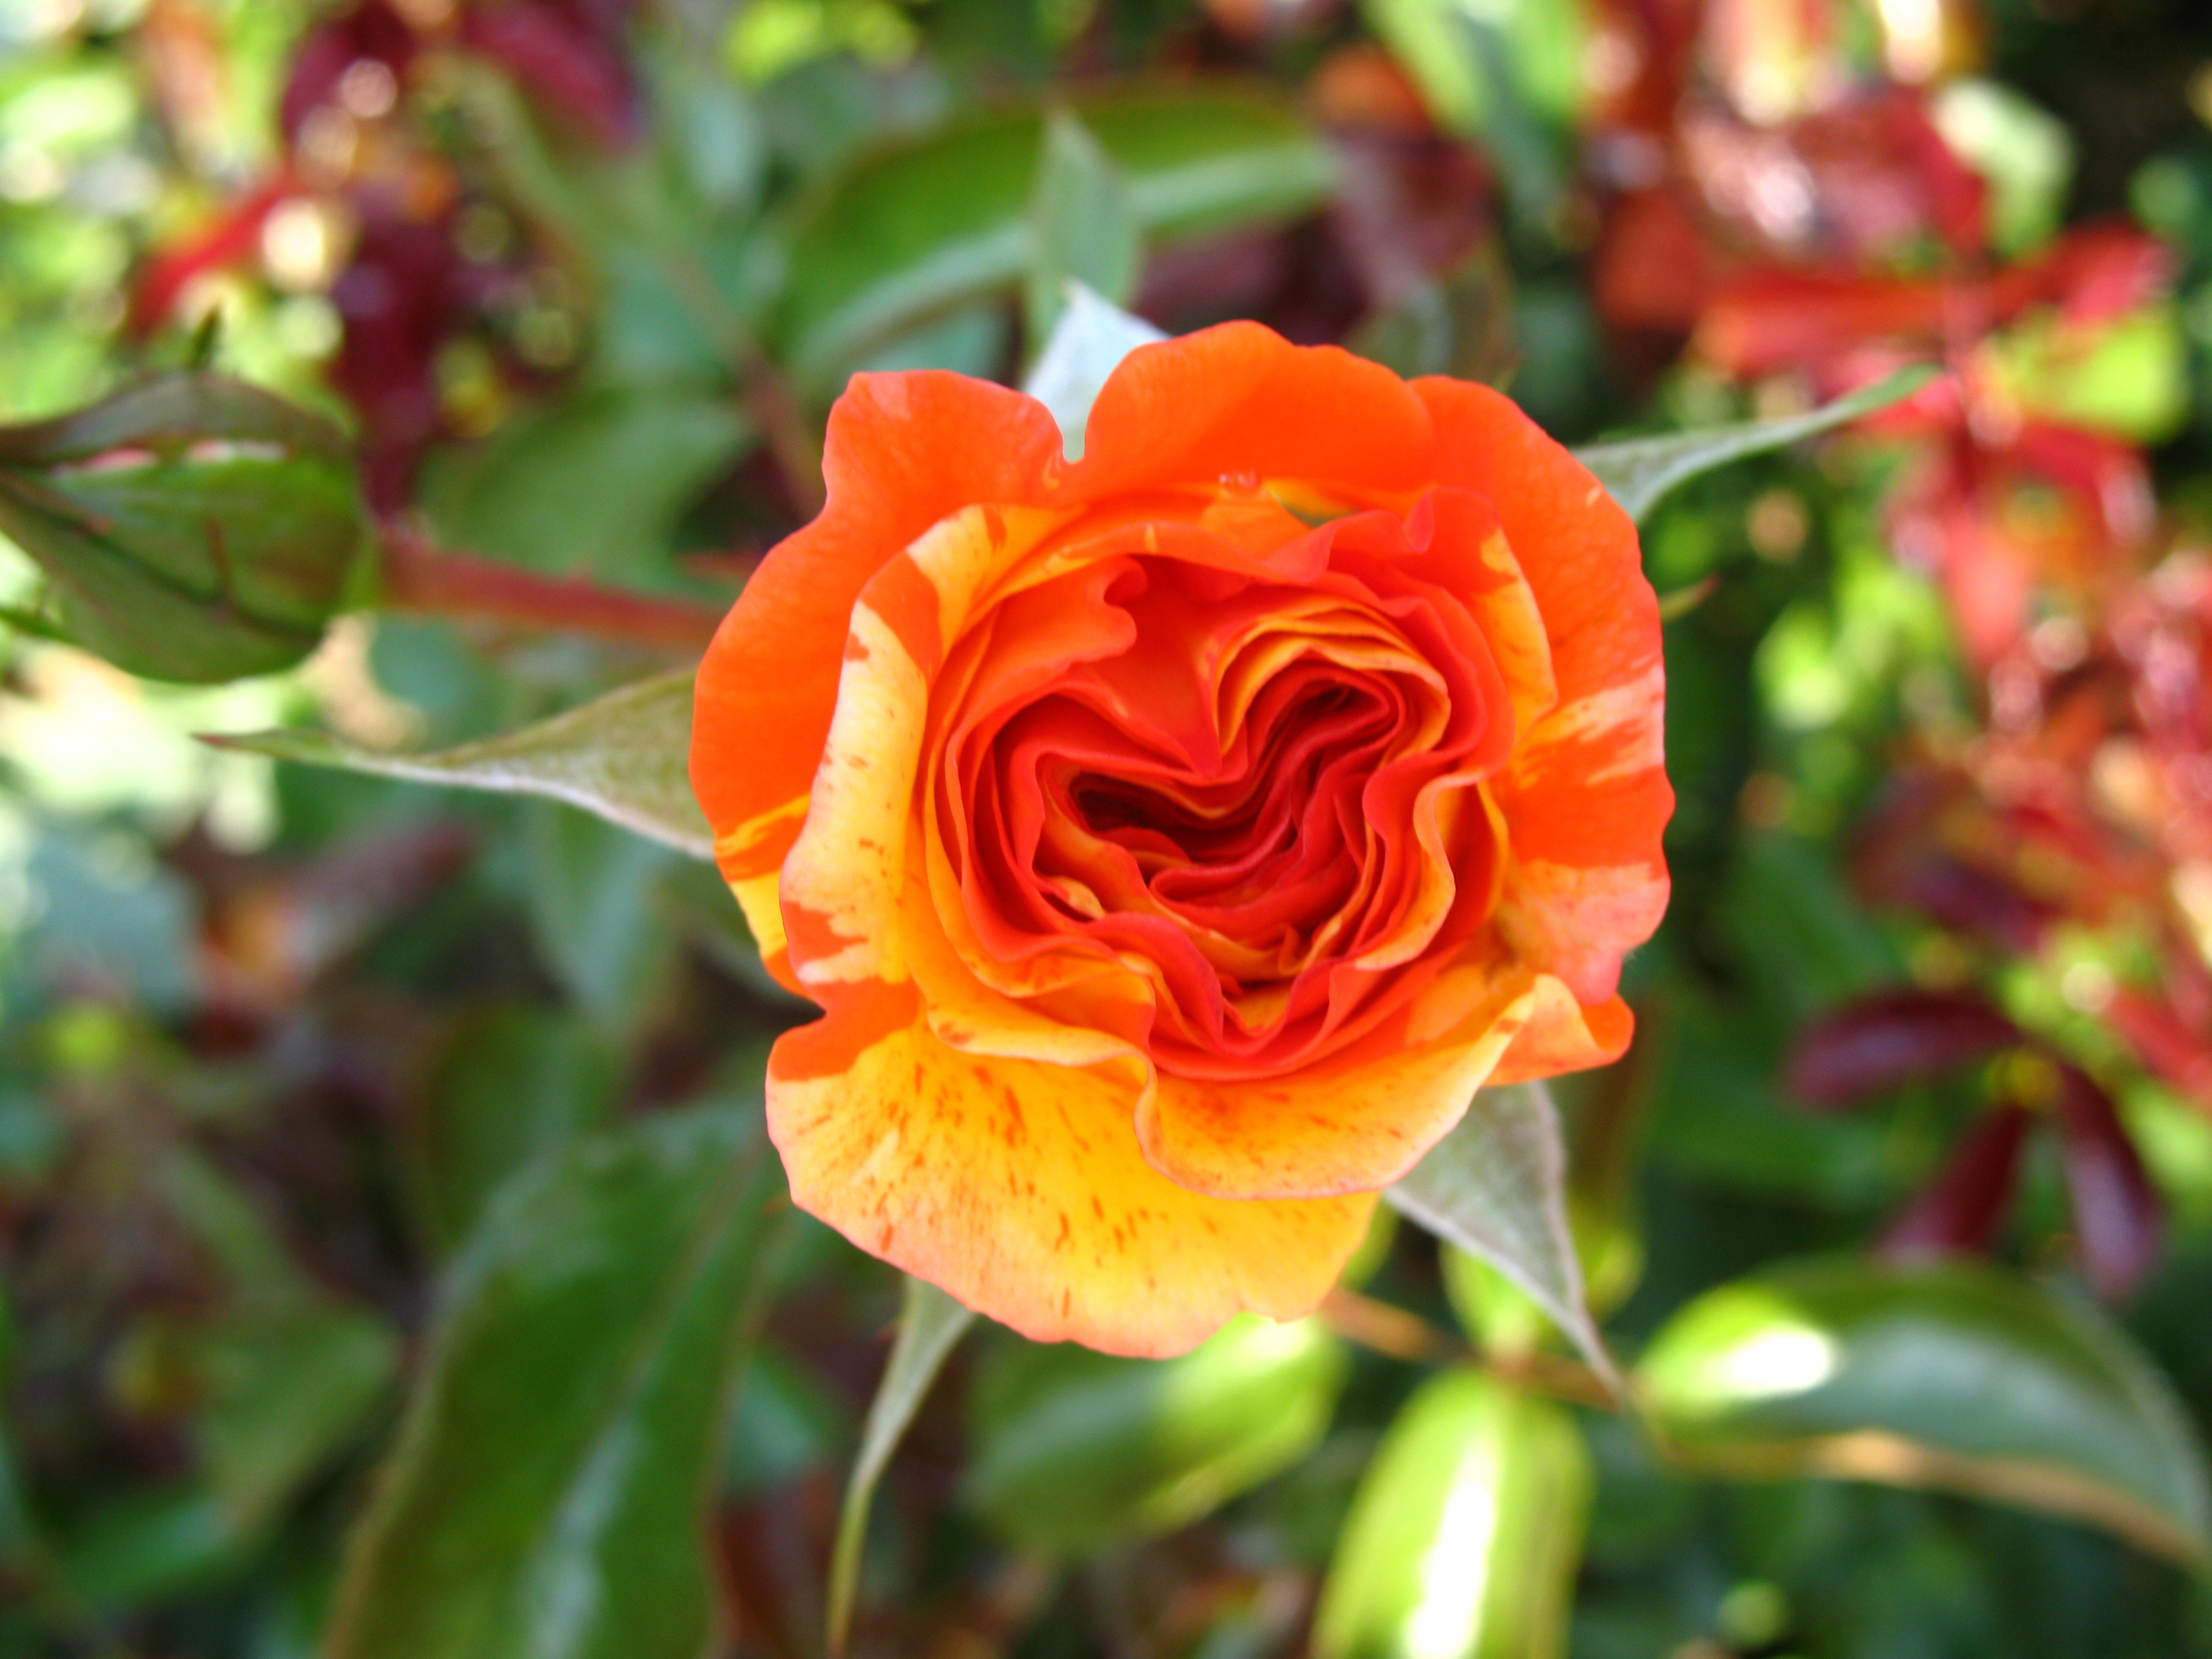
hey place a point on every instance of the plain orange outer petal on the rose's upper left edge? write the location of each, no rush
(904, 452)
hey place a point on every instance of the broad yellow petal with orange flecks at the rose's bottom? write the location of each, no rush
(1019, 1189)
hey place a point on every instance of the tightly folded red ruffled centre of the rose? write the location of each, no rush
(1224, 806)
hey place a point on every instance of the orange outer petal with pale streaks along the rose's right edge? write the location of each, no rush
(1587, 795)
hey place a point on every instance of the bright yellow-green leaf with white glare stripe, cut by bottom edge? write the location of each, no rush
(1465, 1534)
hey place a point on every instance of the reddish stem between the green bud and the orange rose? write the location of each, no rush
(430, 581)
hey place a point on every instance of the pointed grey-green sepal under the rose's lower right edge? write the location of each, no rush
(1496, 1187)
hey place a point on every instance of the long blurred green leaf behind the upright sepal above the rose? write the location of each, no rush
(924, 227)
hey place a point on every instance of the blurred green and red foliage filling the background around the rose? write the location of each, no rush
(393, 1262)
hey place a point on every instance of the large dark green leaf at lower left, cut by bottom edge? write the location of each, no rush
(552, 1474)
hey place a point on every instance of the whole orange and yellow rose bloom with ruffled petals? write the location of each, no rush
(1176, 839)
